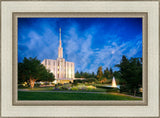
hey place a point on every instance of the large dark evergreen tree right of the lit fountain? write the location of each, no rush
(131, 72)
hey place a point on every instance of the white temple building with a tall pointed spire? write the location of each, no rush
(62, 70)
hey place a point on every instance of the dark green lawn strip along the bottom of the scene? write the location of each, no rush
(23, 95)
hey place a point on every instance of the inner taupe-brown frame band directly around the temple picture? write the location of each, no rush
(17, 102)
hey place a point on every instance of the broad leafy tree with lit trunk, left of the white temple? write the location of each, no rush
(32, 70)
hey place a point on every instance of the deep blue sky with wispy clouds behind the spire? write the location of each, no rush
(88, 42)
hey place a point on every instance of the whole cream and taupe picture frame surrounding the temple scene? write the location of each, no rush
(11, 10)
